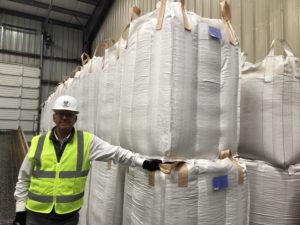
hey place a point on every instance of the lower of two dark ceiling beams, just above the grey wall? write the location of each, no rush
(40, 18)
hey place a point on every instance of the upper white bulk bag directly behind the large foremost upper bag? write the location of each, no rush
(108, 117)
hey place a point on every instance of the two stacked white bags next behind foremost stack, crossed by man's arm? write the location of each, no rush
(104, 203)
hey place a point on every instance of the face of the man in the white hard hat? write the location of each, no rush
(64, 119)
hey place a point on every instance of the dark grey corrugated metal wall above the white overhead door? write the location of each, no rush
(20, 43)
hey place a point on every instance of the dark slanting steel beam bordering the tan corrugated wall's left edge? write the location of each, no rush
(94, 23)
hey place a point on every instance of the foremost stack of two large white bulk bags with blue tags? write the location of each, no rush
(179, 100)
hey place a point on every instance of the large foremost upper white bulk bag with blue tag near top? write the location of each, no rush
(179, 88)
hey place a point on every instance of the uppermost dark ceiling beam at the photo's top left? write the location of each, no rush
(53, 8)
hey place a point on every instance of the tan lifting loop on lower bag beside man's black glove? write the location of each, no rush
(168, 167)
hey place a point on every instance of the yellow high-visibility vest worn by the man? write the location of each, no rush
(60, 185)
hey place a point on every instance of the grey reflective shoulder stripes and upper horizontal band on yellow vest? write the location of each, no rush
(38, 173)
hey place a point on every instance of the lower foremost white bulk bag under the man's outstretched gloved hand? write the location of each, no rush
(167, 204)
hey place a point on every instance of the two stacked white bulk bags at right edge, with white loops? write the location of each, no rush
(270, 128)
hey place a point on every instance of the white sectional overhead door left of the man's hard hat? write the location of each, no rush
(19, 97)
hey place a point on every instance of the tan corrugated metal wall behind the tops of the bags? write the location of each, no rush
(256, 22)
